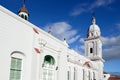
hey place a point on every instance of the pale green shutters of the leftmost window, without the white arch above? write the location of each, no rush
(15, 70)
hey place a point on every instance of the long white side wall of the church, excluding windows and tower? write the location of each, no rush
(17, 34)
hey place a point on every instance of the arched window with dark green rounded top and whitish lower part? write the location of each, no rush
(48, 68)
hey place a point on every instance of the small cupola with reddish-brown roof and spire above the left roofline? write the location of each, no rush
(23, 12)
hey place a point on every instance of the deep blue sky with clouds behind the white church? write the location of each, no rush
(70, 19)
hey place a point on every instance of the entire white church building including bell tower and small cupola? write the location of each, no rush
(29, 53)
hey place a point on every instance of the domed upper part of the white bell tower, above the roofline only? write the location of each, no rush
(93, 43)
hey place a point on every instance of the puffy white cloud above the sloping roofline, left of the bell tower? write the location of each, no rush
(63, 30)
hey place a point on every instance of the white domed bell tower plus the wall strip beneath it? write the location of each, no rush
(93, 47)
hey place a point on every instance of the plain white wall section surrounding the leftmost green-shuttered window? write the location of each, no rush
(14, 36)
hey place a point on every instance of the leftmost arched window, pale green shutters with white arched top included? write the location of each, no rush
(16, 66)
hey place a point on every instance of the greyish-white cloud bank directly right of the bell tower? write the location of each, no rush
(111, 47)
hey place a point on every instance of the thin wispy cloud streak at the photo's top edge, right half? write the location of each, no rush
(86, 7)
